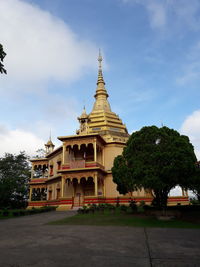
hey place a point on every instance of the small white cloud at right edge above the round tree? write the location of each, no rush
(191, 128)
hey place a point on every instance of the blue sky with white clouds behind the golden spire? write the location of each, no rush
(151, 66)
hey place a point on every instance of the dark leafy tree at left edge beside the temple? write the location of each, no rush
(14, 177)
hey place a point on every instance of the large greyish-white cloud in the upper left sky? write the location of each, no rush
(39, 46)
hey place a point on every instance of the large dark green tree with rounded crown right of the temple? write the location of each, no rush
(157, 159)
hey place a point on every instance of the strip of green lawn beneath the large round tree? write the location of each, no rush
(120, 219)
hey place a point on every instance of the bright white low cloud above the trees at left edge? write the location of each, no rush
(16, 140)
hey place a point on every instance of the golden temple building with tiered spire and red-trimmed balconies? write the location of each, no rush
(79, 171)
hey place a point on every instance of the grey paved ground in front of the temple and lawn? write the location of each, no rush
(29, 241)
